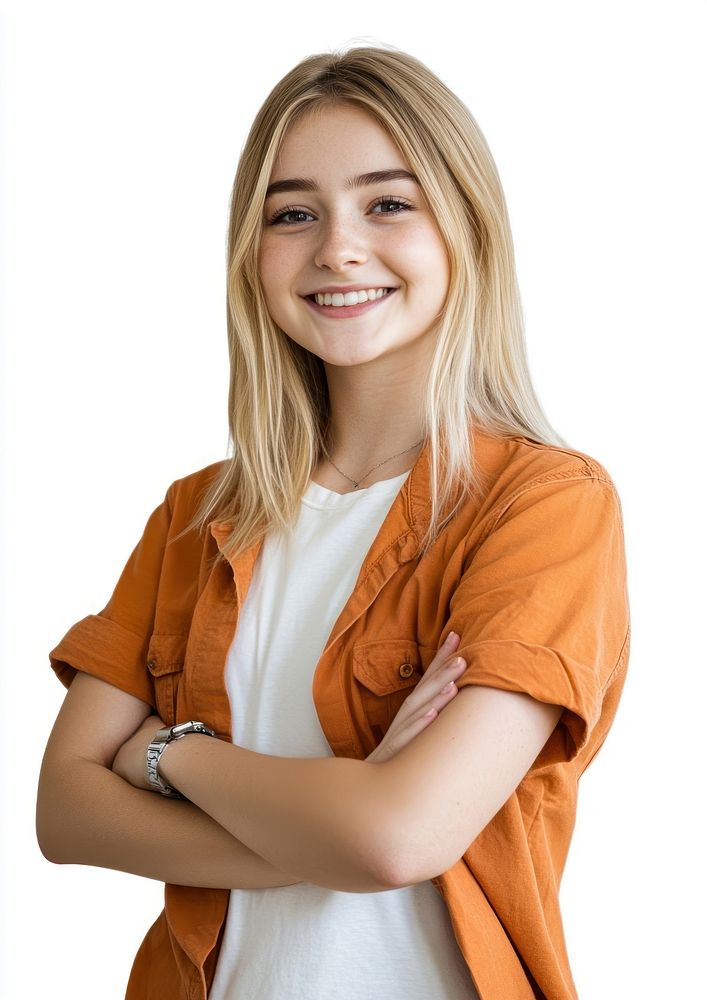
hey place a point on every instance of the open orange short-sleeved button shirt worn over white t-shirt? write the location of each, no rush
(533, 578)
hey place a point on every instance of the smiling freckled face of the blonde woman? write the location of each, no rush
(337, 236)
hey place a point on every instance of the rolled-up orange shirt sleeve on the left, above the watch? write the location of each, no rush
(112, 644)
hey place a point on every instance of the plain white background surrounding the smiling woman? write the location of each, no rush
(122, 126)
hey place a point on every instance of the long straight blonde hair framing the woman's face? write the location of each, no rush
(278, 397)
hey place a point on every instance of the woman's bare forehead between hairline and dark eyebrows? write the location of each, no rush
(336, 140)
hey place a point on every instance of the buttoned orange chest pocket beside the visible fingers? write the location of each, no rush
(386, 671)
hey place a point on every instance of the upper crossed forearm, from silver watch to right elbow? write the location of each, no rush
(323, 819)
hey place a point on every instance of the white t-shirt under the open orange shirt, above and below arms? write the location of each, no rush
(303, 941)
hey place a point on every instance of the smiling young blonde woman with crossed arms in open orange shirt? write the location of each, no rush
(393, 626)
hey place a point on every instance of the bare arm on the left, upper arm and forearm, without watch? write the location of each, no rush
(87, 814)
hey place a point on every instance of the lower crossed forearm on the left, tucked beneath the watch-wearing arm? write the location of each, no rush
(92, 817)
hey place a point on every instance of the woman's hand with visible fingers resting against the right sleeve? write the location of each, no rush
(425, 697)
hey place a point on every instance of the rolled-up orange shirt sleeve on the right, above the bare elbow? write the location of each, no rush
(542, 607)
